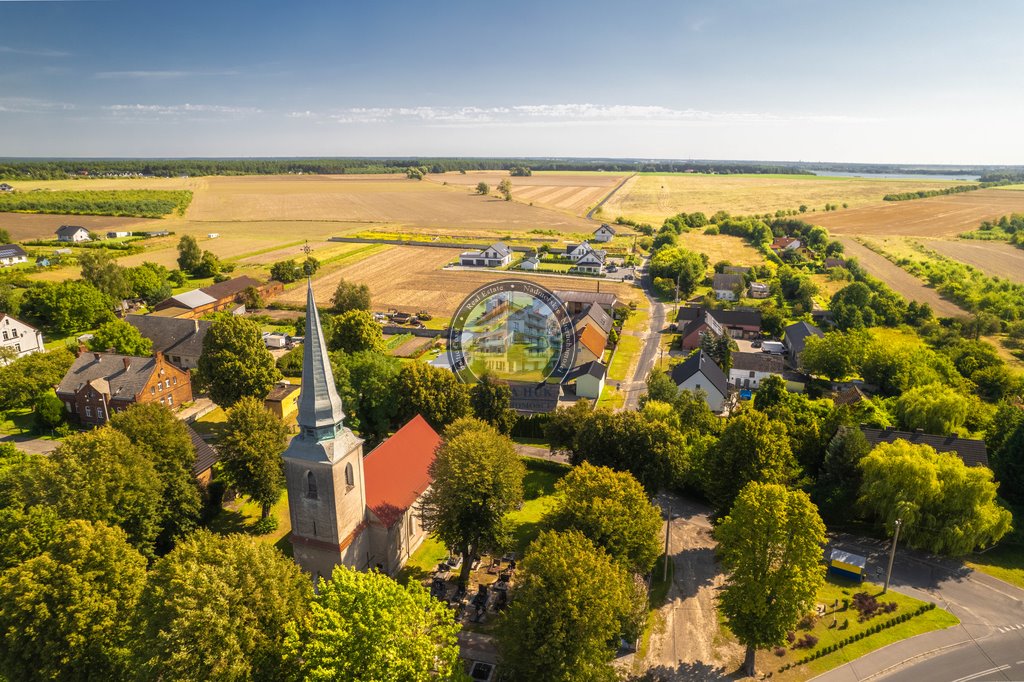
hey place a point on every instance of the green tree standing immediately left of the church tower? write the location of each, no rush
(251, 448)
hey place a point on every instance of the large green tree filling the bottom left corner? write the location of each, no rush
(66, 613)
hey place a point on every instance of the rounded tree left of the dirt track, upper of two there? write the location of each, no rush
(612, 509)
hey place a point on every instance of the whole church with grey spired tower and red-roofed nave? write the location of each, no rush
(347, 508)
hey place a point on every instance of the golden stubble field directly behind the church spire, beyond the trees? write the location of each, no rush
(411, 279)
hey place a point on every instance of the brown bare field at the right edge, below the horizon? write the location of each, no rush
(937, 217)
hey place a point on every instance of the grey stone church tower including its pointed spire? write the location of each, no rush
(327, 497)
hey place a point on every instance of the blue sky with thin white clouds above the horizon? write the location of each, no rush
(928, 82)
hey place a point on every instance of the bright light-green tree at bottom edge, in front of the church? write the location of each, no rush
(412, 636)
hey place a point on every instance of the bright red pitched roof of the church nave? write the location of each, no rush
(396, 473)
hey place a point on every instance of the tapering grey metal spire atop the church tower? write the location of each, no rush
(320, 407)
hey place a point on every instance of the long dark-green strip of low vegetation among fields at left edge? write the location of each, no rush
(135, 203)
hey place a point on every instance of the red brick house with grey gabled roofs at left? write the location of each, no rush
(99, 385)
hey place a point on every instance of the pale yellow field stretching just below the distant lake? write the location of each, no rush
(654, 198)
